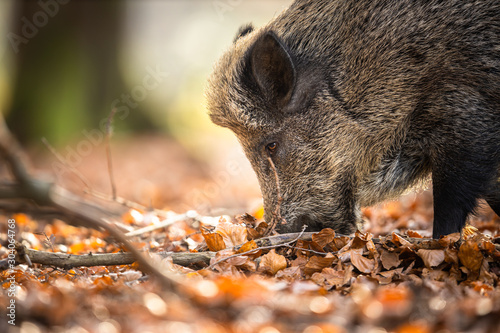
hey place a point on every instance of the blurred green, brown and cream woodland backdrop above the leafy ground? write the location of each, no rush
(87, 54)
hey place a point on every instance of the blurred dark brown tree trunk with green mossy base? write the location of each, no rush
(66, 55)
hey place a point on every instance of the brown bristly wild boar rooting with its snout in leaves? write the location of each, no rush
(357, 101)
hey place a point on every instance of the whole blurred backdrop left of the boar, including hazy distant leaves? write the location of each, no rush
(65, 64)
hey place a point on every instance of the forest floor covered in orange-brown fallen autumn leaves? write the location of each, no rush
(387, 278)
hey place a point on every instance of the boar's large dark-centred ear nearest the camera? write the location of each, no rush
(272, 69)
